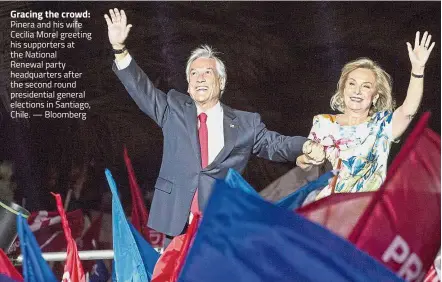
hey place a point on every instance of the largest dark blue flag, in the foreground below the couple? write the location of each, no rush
(245, 238)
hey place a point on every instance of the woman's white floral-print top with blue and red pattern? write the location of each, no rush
(363, 150)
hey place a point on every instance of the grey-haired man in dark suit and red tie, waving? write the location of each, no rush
(203, 138)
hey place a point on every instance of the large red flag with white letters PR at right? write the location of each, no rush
(399, 224)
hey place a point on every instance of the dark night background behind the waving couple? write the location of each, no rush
(283, 60)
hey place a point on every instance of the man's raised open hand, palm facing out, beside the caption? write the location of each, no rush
(118, 29)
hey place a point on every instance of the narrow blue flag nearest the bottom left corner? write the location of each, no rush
(35, 268)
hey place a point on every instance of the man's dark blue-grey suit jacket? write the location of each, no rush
(181, 172)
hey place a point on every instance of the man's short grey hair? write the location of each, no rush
(205, 51)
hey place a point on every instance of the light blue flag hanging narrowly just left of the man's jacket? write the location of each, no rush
(134, 258)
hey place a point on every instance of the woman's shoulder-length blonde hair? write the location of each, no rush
(383, 86)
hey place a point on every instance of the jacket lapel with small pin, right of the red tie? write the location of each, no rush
(230, 127)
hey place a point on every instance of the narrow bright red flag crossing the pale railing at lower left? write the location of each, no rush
(73, 270)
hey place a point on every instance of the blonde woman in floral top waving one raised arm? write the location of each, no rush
(358, 140)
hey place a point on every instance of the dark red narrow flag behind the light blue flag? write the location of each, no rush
(139, 215)
